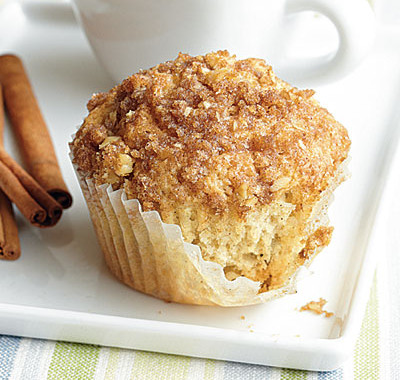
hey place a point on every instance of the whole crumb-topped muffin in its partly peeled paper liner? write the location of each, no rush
(208, 179)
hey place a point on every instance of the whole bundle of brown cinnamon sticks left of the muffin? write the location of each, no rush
(39, 192)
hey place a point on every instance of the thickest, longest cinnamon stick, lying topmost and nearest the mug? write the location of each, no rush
(30, 130)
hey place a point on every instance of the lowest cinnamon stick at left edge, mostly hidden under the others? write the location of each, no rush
(10, 248)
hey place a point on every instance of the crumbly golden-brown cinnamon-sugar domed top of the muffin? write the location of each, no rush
(212, 130)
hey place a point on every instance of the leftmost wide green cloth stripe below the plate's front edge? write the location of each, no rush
(73, 361)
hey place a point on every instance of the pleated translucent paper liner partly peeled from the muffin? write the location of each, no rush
(152, 257)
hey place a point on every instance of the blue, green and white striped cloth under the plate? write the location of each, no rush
(33, 359)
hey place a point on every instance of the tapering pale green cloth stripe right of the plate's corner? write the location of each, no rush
(366, 354)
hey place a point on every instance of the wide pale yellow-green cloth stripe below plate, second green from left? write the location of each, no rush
(151, 365)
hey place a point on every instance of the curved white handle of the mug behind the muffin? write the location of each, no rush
(356, 27)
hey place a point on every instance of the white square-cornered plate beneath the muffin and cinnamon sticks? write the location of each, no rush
(63, 269)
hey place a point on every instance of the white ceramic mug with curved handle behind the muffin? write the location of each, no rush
(129, 35)
